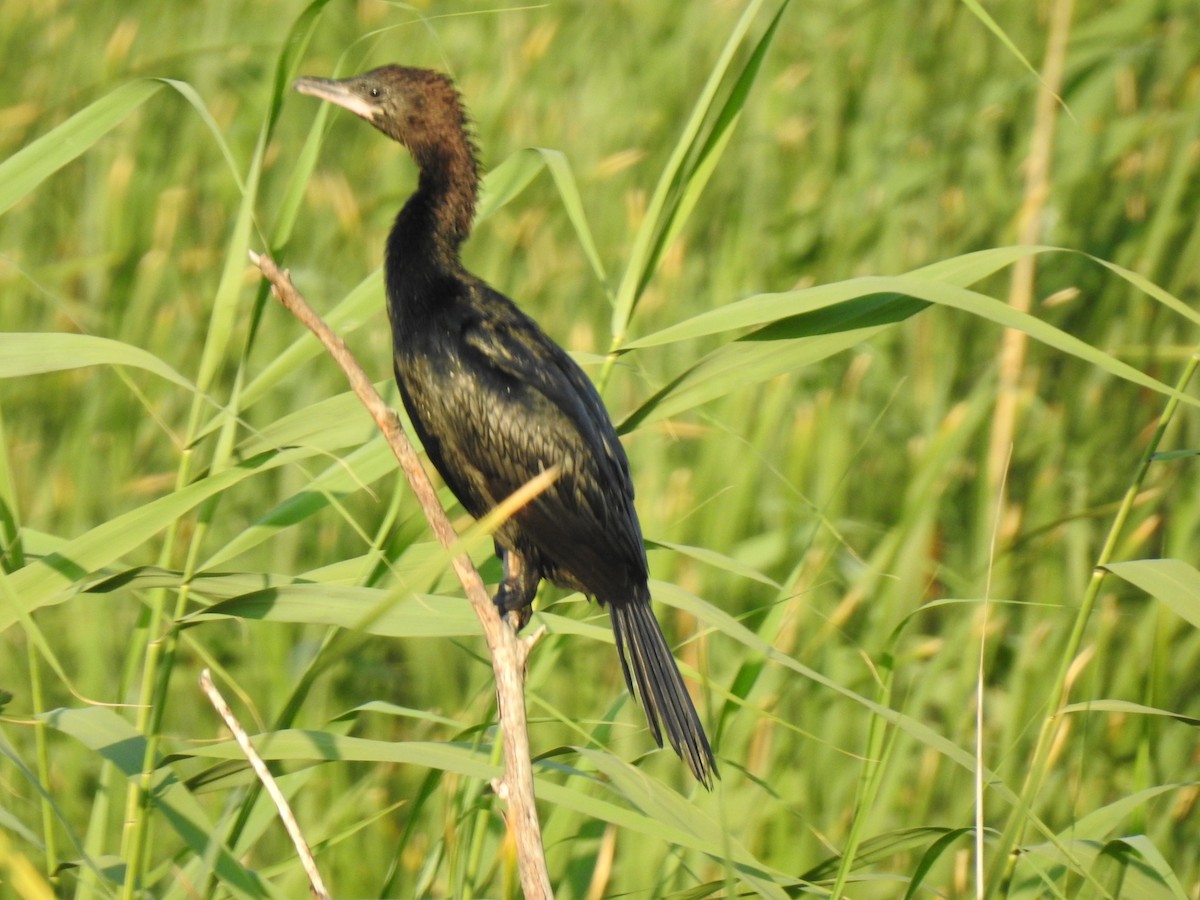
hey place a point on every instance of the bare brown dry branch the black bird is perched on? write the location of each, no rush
(508, 651)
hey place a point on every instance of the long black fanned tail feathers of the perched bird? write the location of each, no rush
(649, 664)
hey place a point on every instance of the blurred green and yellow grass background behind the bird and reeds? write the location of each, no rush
(842, 499)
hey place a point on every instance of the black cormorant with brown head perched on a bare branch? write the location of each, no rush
(496, 403)
